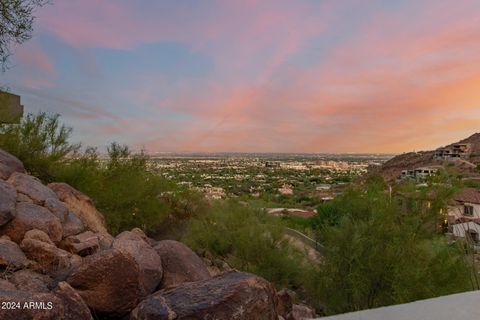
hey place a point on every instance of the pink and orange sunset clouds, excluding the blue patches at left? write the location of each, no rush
(393, 79)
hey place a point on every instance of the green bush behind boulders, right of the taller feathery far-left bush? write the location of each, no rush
(123, 189)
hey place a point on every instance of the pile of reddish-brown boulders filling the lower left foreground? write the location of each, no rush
(57, 261)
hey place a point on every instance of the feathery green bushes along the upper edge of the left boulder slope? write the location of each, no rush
(121, 186)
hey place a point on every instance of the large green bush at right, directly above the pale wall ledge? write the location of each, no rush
(377, 256)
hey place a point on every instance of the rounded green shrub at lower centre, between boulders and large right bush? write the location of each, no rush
(249, 240)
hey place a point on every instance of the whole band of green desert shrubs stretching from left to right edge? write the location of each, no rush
(377, 252)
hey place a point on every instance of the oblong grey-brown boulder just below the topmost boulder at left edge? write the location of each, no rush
(31, 187)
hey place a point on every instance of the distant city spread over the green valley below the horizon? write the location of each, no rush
(281, 178)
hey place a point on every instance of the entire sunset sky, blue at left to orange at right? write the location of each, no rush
(256, 75)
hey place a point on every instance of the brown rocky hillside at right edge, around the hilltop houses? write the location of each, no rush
(391, 169)
